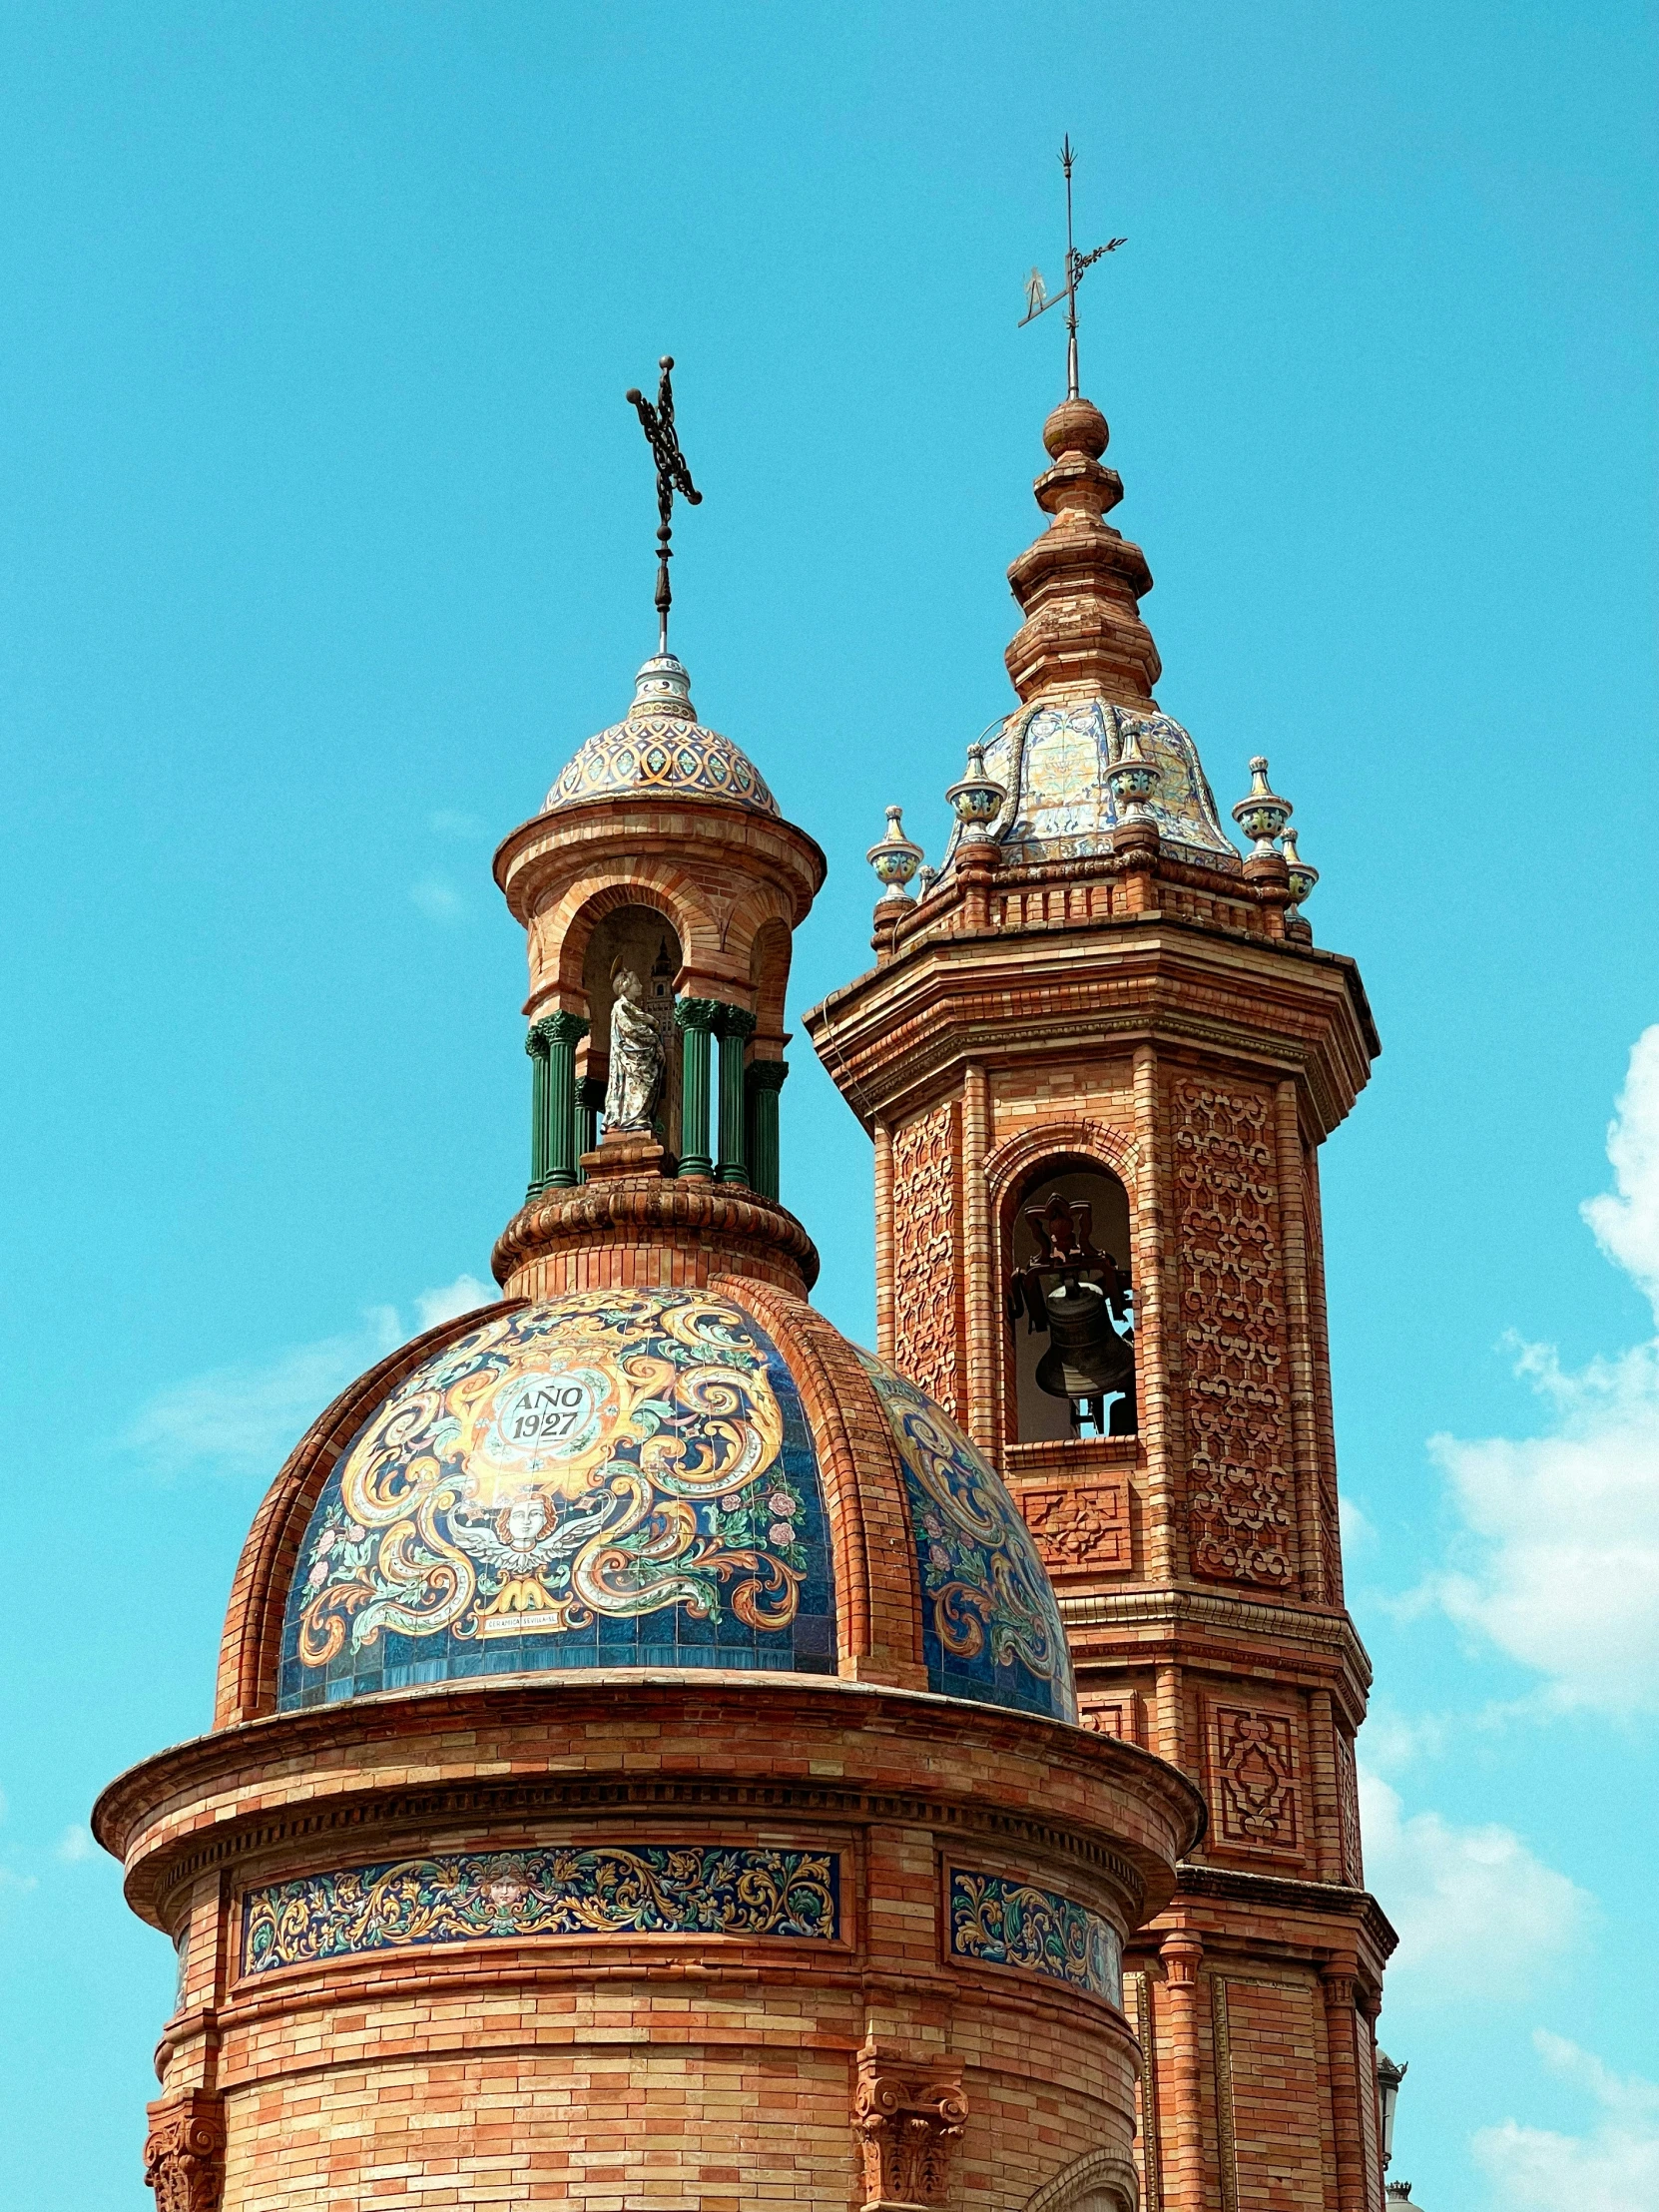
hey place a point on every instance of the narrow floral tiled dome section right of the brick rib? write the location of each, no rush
(990, 1620)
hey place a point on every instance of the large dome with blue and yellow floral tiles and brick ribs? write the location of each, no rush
(654, 1479)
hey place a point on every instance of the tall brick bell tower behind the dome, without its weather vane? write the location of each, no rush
(1098, 1056)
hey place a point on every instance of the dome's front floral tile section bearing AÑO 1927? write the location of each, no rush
(607, 1479)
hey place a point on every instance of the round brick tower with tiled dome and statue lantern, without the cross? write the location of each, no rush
(647, 1764)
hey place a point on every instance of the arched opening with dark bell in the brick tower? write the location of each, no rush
(1070, 1304)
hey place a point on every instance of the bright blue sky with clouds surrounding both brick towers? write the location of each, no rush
(326, 539)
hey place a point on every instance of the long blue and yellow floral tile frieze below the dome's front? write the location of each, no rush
(508, 1897)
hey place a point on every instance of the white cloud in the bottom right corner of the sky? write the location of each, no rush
(1614, 2169)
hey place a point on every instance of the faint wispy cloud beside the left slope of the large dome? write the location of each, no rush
(247, 1419)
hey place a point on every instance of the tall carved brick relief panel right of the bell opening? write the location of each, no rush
(1233, 1333)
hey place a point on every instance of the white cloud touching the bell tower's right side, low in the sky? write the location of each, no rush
(1474, 1908)
